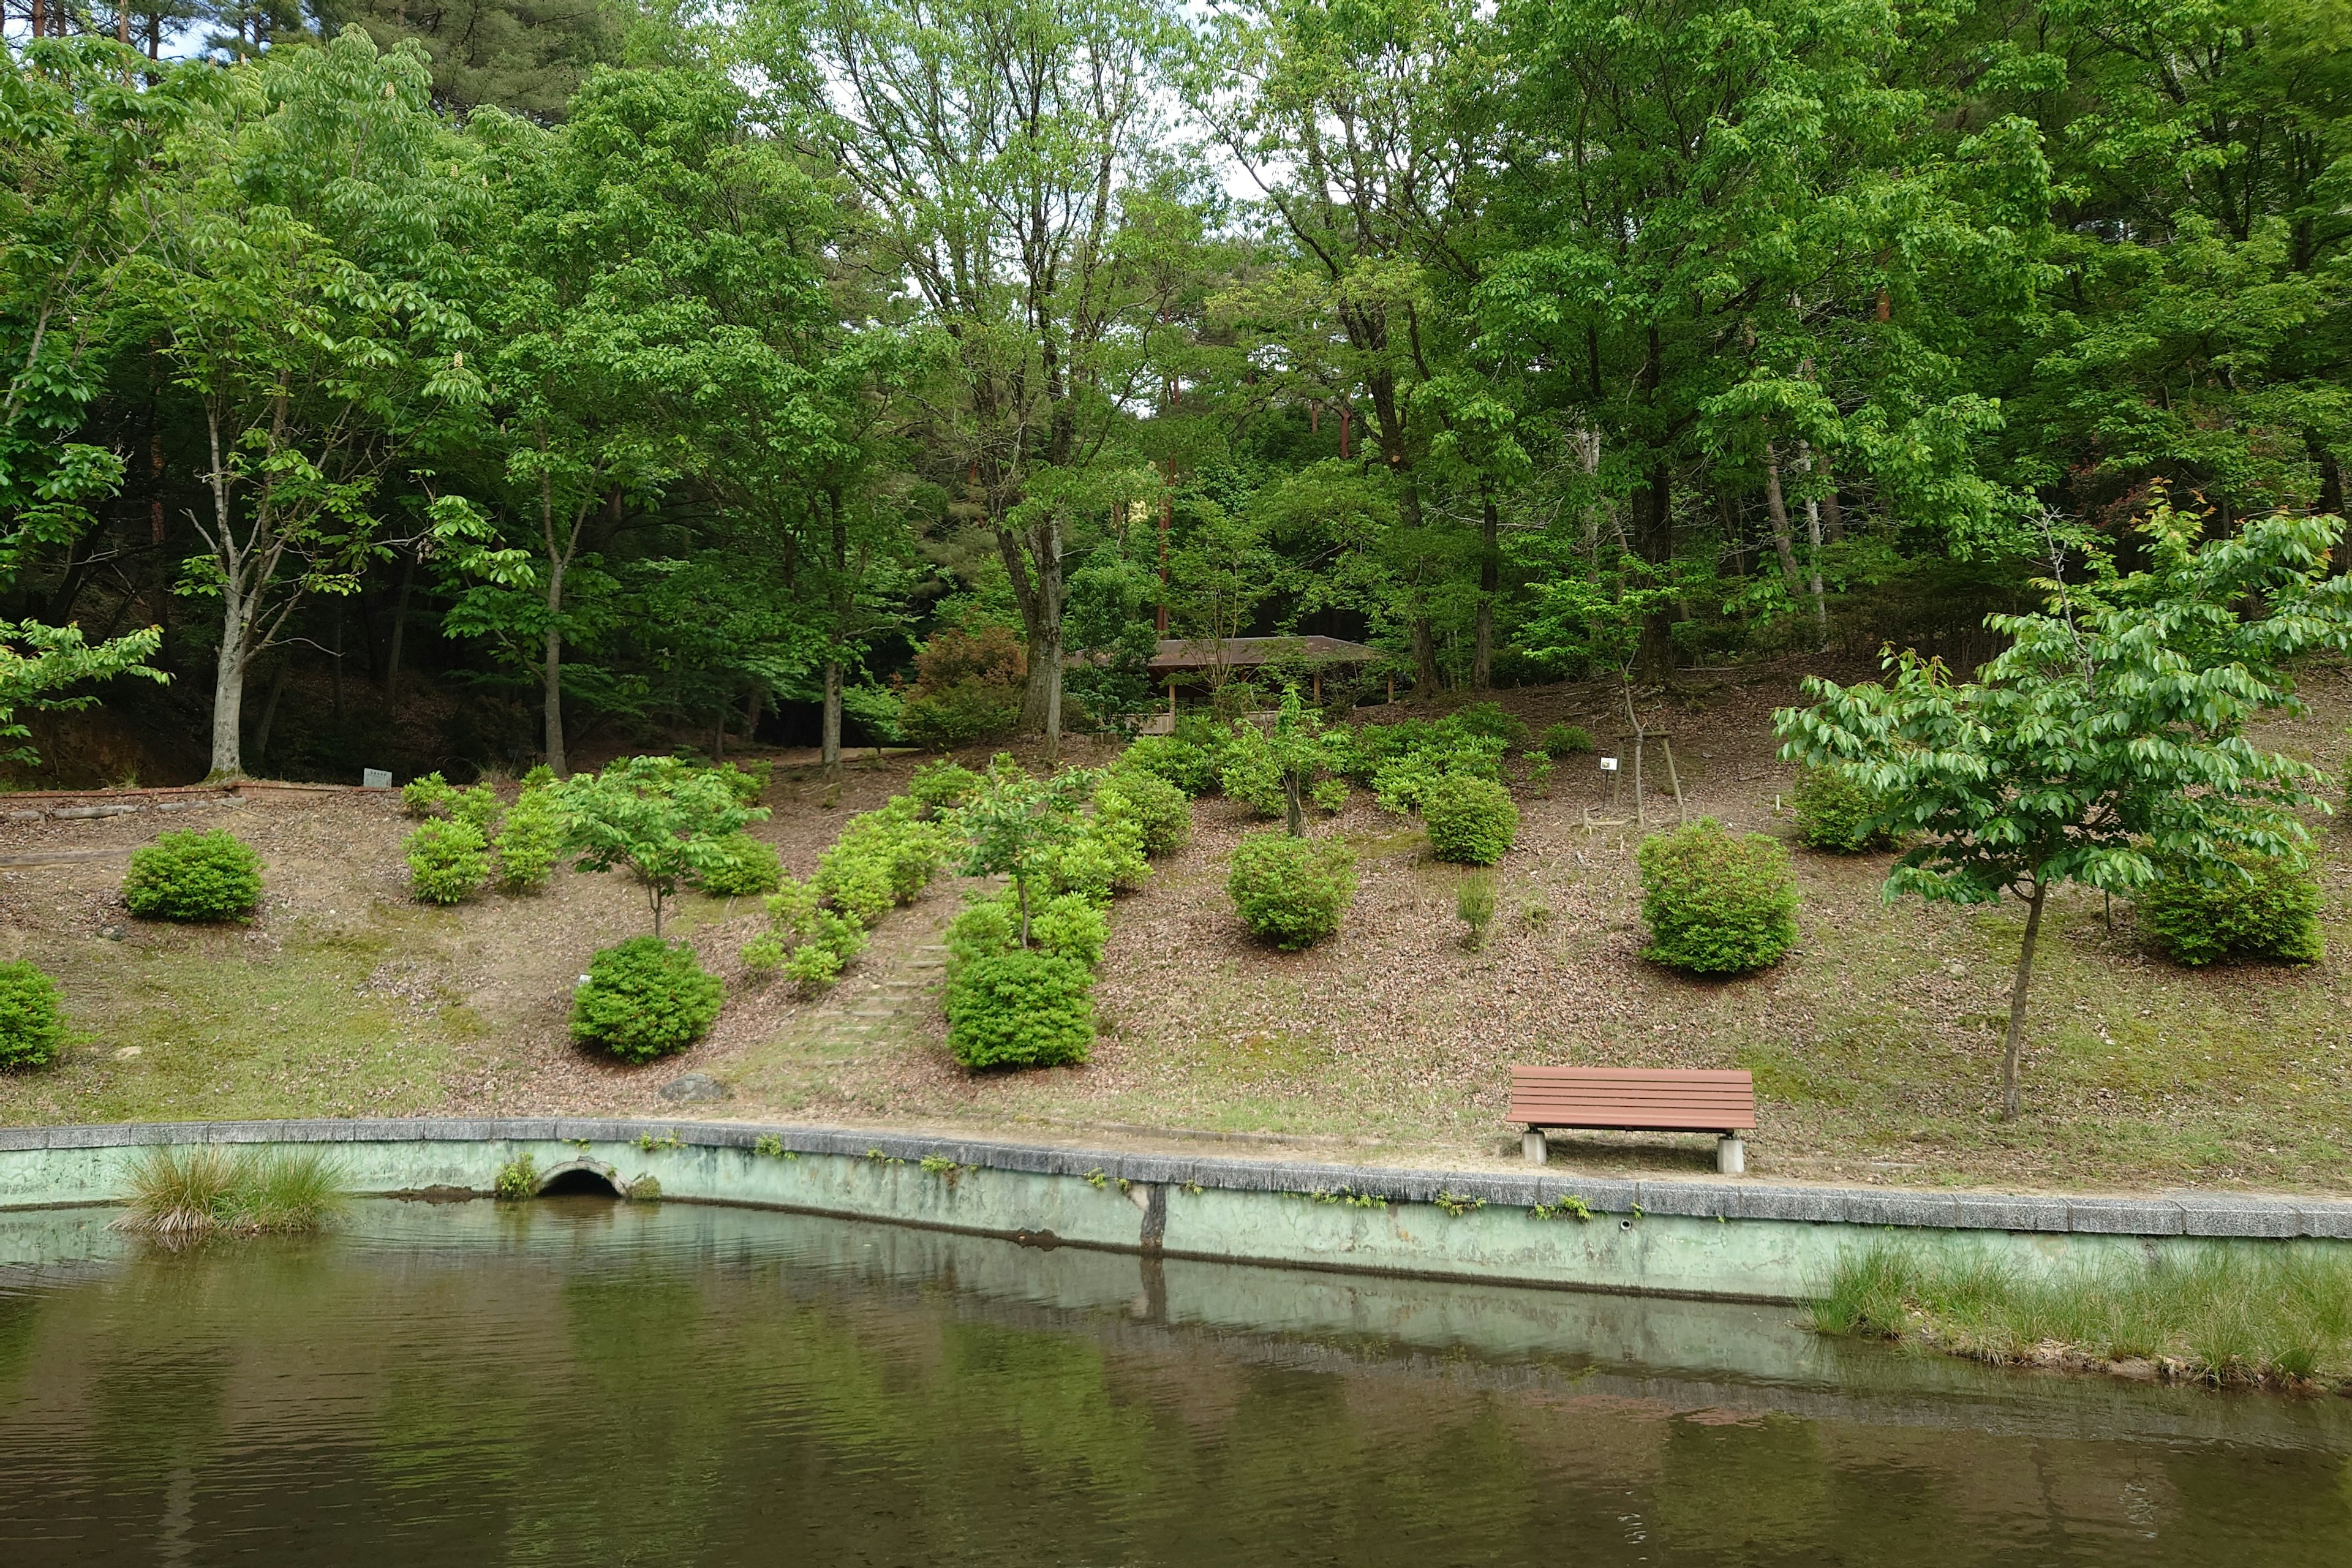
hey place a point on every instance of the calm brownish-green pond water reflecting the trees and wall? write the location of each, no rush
(594, 1383)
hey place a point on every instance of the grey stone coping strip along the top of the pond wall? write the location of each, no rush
(2184, 1214)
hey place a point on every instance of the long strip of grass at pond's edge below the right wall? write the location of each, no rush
(2226, 1315)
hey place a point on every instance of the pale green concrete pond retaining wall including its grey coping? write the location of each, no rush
(1669, 1238)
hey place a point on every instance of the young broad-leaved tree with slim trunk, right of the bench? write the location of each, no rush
(2106, 737)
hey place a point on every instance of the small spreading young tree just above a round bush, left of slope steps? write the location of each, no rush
(660, 817)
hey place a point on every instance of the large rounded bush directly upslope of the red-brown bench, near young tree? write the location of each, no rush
(1718, 904)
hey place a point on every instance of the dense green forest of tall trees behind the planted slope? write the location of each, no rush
(467, 384)
